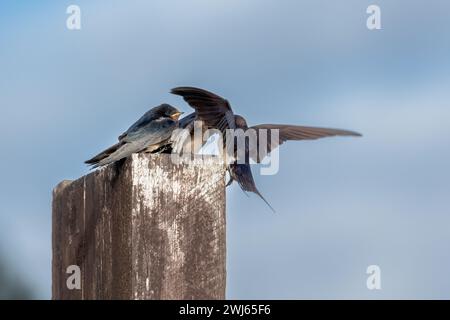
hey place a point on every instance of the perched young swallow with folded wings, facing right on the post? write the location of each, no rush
(151, 133)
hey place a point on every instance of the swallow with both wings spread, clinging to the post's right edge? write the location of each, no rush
(215, 112)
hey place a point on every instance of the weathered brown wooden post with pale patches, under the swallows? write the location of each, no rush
(142, 229)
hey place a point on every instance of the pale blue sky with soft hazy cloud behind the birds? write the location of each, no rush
(342, 204)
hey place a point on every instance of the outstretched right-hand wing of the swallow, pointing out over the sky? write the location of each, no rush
(290, 132)
